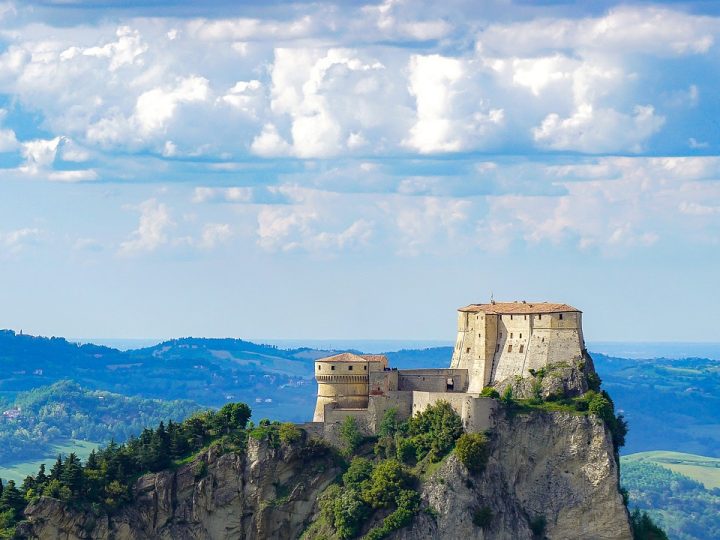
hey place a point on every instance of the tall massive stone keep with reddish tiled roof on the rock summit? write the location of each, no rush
(504, 339)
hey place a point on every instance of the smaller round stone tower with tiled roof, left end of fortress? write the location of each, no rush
(344, 379)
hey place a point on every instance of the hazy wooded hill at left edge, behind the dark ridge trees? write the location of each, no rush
(52, 414)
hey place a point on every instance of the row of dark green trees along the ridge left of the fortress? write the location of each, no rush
(103, 483)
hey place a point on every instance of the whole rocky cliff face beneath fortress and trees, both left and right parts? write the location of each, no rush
(552, 468)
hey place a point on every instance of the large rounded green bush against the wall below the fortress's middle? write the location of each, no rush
(433, 432)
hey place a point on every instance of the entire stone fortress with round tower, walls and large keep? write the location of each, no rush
(496, 344)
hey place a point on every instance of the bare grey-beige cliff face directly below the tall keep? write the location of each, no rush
(555, 469)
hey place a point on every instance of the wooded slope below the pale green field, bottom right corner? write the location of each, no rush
(683, 507)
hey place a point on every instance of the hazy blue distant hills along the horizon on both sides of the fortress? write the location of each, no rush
(670, 404)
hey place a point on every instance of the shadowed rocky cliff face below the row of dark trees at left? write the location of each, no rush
(266, 493)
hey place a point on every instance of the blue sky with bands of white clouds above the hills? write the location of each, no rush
(357, 170)
